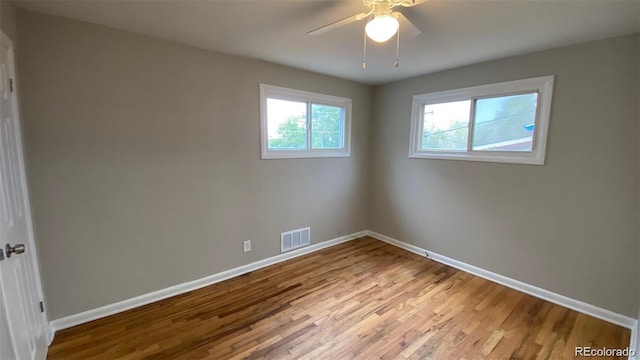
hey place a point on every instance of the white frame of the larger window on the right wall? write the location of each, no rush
(542, 85)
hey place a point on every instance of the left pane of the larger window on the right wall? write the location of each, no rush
(446, 126)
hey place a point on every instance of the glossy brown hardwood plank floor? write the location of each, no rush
(363, 299)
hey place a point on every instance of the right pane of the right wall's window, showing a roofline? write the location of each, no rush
(505, 123)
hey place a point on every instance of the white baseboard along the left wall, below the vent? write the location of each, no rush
(103, 311)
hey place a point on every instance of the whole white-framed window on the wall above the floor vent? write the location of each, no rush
(300, 124)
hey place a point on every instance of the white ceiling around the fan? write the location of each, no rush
(454, 33)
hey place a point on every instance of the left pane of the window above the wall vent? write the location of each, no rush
(286, 124)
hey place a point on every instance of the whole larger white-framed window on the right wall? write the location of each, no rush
(504, 122)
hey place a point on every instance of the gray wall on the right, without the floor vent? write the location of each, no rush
(570, 226)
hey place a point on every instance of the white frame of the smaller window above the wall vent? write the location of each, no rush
(281, 93)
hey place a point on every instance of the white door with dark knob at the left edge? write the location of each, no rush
(22, 313)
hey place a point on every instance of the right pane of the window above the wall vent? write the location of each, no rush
(327, 127)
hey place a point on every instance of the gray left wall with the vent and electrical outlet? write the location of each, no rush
(145, 168)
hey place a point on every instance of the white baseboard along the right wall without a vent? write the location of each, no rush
(577, 305)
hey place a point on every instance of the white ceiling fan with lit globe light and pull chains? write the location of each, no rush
(383, 23)
